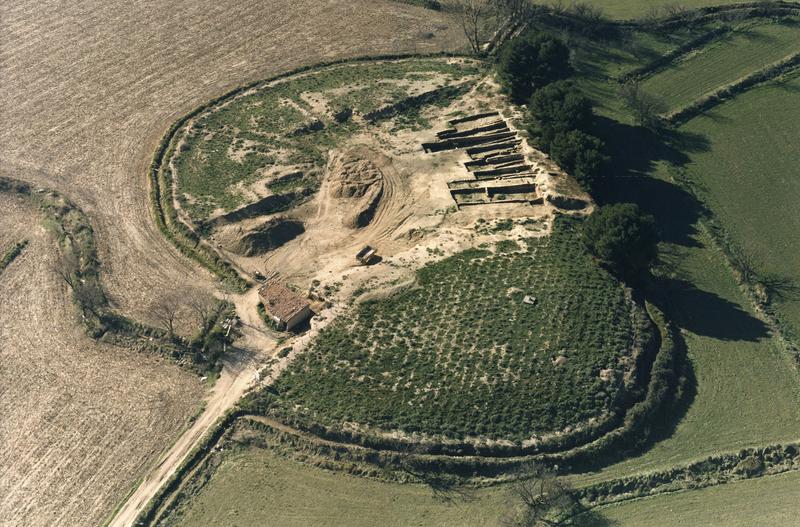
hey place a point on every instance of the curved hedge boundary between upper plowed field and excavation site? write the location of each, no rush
(166, 217)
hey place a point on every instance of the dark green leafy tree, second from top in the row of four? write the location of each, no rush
(557, 109)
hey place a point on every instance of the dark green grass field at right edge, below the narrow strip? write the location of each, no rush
(756, 196)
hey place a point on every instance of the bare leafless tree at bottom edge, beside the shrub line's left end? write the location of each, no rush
(545, 499)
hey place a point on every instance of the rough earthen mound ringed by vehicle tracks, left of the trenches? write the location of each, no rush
(355, 177)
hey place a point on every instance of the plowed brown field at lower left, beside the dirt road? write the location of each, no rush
(81, 420)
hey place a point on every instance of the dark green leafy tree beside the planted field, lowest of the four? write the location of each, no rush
(623, 238)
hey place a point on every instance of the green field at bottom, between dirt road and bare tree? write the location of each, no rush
(254, 487)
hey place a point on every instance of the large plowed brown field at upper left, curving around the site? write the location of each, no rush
(91, 87)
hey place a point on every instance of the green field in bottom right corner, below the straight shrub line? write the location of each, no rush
(769, 501)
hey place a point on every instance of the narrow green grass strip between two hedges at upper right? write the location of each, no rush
(737, 54)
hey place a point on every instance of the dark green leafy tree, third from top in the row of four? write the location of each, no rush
(581, 155)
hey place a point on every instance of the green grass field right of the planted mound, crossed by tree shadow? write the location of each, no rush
(747, 393)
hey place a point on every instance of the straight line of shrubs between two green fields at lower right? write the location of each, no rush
(715, 470)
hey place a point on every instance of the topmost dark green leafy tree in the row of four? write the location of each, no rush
(531, 61)
